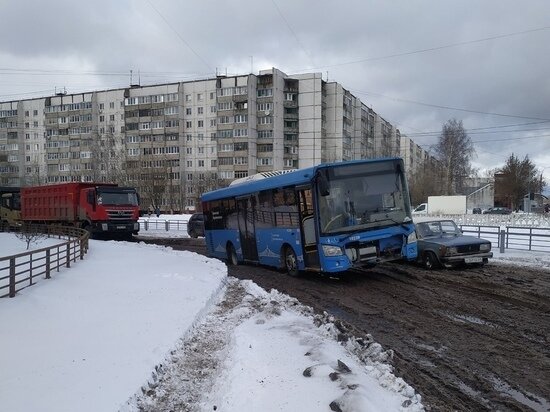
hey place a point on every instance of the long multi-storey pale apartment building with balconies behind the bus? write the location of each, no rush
(174, 141)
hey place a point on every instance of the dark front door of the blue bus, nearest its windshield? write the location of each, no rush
(307, 227)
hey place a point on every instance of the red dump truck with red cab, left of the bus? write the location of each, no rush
(100, 208)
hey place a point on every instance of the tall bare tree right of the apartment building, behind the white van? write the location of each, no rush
(455, 150)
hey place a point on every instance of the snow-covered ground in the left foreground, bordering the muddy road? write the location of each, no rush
(140, 327)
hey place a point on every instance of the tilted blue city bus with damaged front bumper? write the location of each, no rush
(328, 218)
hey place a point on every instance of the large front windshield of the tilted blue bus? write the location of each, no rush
(363, 197)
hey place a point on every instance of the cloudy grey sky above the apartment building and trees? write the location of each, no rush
(417, 64)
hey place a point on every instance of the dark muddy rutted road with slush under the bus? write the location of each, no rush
(466, 340)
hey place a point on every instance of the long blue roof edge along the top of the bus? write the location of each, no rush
(296, 177)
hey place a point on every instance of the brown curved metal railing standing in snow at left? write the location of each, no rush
(22, 270)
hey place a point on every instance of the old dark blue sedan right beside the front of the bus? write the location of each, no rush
(441, 243)
